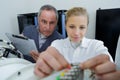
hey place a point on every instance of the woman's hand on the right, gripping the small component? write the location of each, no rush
(102, 67)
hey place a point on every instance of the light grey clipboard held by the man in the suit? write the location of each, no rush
(23, 44)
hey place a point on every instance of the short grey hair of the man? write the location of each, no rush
(49, 8)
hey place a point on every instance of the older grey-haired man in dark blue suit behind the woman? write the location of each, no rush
(45, 32)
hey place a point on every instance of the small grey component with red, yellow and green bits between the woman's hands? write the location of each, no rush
(73, 73)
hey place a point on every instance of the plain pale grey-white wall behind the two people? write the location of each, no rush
(10, 8)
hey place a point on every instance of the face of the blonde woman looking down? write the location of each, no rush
(76, 27)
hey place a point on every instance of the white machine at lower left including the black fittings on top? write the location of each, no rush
(12, 64)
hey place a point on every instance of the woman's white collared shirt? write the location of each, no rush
(88, 49)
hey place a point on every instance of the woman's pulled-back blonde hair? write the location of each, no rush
(76, 11)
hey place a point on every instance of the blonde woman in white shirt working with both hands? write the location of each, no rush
(76, 48)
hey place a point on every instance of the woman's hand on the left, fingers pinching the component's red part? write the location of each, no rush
(49, 61)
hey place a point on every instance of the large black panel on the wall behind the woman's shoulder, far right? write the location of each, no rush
(108, 28)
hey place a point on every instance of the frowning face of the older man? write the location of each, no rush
(47, 22)
